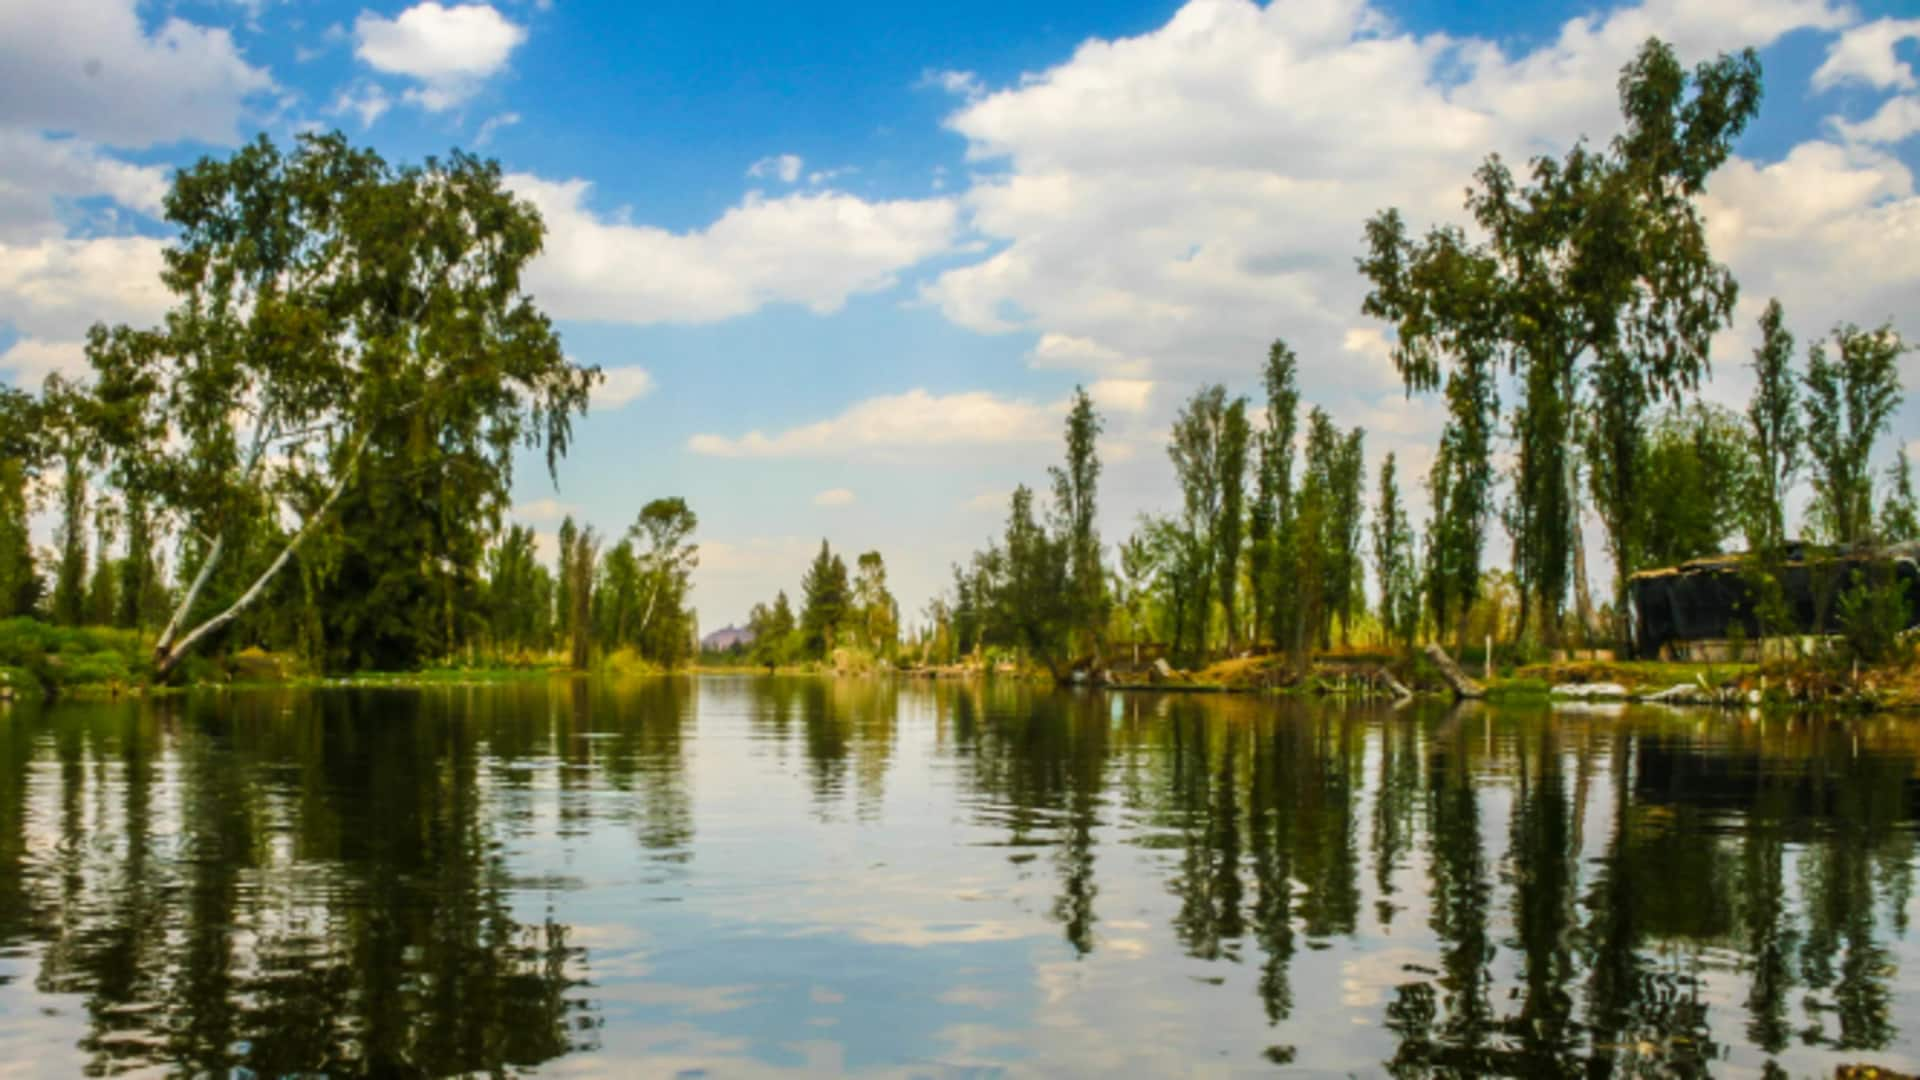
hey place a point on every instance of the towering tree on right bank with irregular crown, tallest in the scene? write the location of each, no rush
(1593, 278)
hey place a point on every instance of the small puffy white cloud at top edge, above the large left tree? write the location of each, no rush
(448, 51)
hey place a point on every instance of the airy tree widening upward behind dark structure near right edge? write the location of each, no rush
(1850, 405)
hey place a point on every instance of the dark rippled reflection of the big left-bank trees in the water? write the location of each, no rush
(306, 893)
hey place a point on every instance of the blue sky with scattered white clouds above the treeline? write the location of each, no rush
(846, 264)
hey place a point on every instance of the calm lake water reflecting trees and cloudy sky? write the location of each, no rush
(746, 877)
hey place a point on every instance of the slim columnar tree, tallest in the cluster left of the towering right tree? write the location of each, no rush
(1270, 522)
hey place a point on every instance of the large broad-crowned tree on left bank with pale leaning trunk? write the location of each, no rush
(325, 301)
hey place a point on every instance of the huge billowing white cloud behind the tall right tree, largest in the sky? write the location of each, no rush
(1176, 201)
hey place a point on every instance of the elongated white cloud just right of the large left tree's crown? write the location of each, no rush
(813, 249)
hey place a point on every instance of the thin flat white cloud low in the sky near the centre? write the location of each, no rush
(898, 426)
